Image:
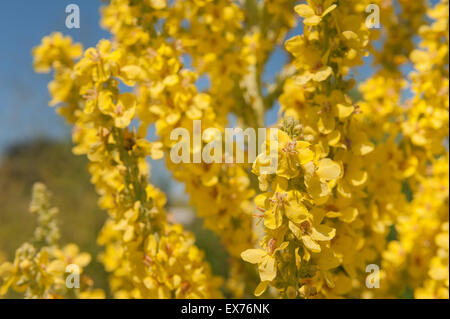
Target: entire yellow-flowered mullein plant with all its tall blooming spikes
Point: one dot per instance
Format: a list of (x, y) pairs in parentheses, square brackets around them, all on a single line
[(360, 180)]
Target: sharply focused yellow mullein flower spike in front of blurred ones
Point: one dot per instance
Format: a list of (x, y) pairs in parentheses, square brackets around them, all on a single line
[(313, 212)]
